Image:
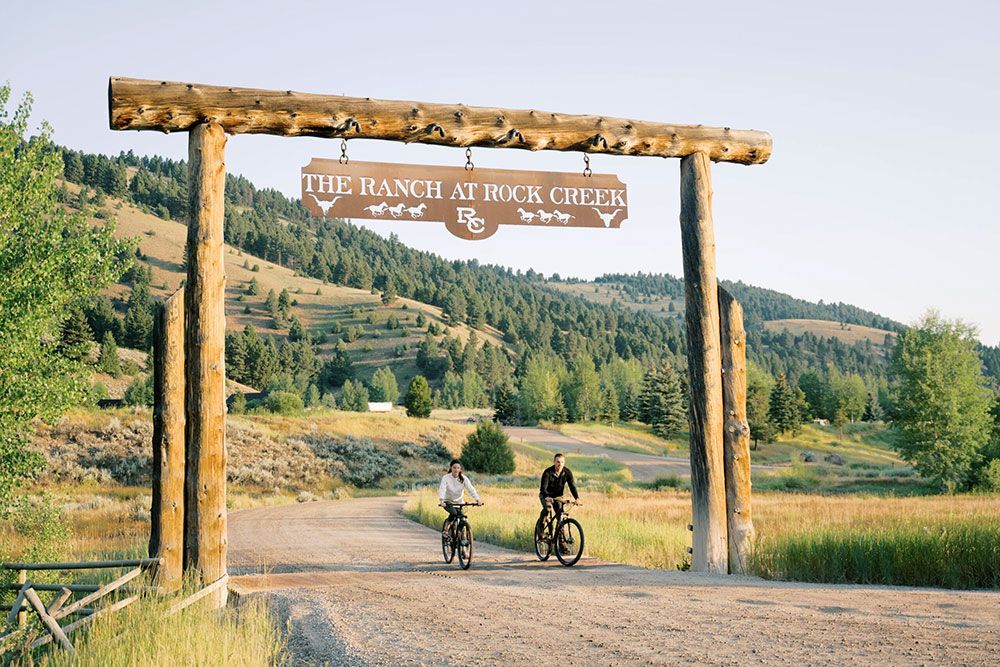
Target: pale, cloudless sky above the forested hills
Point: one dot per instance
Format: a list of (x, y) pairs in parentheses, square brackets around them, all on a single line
[(881, 191)]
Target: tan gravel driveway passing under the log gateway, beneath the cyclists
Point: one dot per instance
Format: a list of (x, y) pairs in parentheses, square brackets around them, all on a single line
[(362, 585)]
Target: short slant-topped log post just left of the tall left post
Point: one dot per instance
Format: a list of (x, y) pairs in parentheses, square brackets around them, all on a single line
[(166, 537)]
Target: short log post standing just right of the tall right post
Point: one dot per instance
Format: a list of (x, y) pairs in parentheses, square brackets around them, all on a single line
[(736, 450)]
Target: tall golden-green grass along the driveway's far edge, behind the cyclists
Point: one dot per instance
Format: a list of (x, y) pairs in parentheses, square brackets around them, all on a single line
[(951, 541)]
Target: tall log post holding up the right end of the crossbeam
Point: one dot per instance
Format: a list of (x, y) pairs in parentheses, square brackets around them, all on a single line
[(705, 414)]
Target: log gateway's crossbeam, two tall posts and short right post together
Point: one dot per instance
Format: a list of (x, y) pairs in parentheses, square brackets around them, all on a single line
[(208, 113)]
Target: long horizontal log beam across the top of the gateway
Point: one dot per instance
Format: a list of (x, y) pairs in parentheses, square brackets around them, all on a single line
[(139, 104)]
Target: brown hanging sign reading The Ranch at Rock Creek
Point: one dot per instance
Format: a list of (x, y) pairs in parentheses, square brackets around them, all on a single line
[(471, 202)]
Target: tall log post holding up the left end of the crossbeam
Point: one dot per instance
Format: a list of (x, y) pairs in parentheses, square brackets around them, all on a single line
[(205, 543)]
